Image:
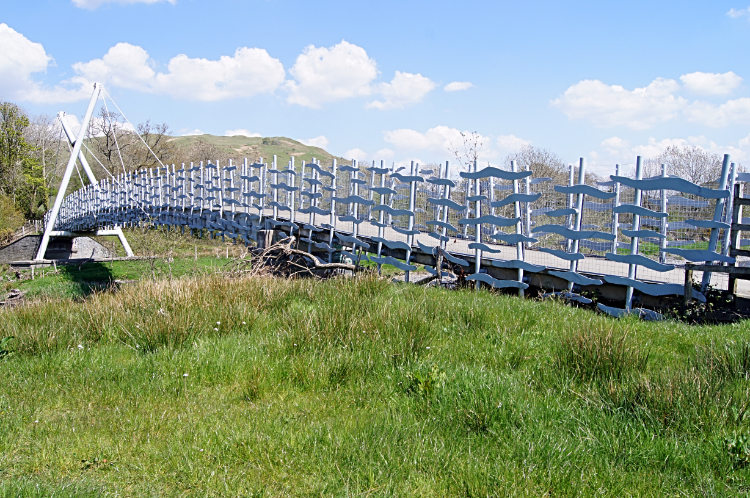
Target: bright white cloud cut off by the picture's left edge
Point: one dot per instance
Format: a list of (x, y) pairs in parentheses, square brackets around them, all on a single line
[(19, 59)]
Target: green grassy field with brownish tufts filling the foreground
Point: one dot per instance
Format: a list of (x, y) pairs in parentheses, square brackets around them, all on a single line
[(362, 387)]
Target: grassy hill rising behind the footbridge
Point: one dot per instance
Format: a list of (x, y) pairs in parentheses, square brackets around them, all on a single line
[(238, 147)]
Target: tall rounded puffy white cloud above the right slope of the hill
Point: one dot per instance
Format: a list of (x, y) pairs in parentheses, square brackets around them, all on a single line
[(324, 75)]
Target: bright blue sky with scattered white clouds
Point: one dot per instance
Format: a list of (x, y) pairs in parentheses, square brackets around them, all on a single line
[(399, 80)]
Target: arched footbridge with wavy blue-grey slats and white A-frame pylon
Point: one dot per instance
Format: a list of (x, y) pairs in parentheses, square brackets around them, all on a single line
[(627, 238)]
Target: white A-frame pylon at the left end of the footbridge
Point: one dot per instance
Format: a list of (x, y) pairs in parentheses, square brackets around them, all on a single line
[(76, 154)]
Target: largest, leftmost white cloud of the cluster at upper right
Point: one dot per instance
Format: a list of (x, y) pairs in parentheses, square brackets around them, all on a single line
[(612, 105)]
